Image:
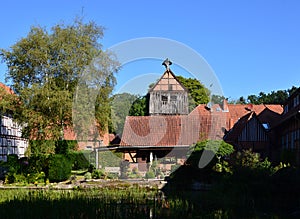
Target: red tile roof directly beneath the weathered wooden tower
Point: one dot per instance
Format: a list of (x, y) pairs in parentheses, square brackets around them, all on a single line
[(160, 131)]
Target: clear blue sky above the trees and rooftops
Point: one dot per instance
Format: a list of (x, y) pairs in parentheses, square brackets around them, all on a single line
[(251, 45)]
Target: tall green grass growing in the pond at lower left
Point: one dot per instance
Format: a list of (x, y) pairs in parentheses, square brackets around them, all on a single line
[(89, 203)]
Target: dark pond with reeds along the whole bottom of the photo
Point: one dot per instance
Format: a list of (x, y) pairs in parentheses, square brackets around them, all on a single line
[(134, 202)]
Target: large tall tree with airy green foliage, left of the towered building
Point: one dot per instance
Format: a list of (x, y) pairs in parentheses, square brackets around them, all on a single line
[(44, 69)]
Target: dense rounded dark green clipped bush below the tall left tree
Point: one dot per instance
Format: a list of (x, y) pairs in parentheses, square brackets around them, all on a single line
[(59, 168)]
